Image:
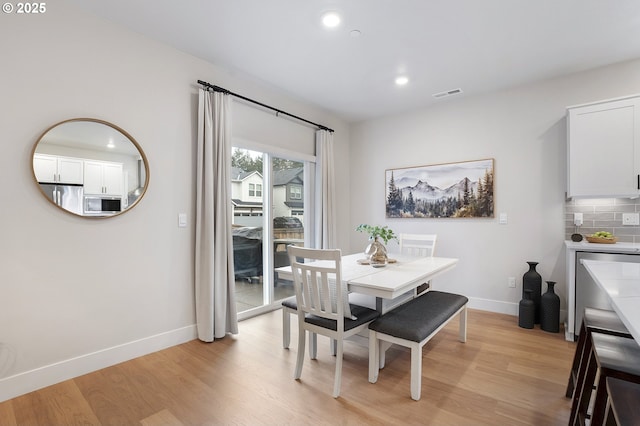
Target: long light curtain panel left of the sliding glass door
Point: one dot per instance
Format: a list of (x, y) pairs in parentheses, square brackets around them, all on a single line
[(214, 277)]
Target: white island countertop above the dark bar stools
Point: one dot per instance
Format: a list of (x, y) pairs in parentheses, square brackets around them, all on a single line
[(621, 282)]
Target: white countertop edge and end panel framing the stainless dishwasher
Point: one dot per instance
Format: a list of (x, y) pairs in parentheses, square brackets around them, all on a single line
[(584, 246)]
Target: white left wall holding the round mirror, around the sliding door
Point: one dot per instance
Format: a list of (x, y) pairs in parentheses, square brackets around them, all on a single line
[(79, 294)]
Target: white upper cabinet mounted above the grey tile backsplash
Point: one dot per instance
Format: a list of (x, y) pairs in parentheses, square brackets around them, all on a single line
[(604, 149)]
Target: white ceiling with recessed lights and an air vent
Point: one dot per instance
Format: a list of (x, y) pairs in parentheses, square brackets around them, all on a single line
[(475, 45)]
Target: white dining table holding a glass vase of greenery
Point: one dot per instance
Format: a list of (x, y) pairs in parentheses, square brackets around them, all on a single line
[(388, 282)]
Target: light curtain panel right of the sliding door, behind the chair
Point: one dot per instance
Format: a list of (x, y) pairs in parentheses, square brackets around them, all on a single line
[(325, 233)]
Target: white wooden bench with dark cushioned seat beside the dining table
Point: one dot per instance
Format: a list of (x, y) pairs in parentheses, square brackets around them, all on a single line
[(412, 325)]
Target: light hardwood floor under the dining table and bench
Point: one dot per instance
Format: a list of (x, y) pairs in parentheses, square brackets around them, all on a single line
[(502, 375)]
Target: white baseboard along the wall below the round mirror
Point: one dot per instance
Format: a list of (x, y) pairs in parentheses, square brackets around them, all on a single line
[(28, 381)]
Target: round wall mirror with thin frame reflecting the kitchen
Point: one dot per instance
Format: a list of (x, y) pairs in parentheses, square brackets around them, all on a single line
[(90, 168)]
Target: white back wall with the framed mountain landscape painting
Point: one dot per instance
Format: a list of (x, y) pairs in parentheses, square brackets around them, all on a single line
[(524, 130)]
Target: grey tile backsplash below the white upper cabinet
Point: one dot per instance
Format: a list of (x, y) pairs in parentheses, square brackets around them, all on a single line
[(603, 214)]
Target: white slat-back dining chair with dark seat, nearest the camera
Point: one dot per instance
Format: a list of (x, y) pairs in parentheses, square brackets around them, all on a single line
[(322, 303)]
